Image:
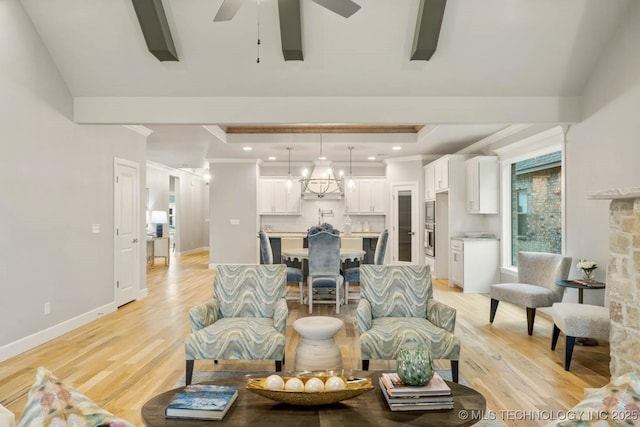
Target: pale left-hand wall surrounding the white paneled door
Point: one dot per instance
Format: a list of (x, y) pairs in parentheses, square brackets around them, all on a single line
[(56, 180)]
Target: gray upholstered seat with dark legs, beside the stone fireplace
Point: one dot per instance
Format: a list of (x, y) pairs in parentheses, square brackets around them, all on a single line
[(578, 320)]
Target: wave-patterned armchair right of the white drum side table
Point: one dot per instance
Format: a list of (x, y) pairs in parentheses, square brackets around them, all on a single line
[(397, 307)]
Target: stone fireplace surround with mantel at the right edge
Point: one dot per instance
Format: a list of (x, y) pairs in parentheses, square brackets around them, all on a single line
[(623, 278)]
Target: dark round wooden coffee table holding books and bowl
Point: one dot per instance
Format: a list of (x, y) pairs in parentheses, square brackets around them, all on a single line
[(367, 409)]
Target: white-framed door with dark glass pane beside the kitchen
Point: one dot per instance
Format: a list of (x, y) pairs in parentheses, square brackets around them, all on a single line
[(405, 224)]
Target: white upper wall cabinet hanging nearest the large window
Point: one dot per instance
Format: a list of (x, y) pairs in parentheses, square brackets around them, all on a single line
[(482, 184)]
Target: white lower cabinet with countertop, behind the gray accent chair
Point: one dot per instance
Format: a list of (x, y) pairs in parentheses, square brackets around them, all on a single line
[(474, 264)]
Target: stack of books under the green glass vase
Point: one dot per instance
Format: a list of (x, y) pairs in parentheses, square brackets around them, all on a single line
[(436, 395)]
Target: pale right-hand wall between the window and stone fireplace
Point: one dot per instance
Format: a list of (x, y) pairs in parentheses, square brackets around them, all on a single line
[(603, 150)]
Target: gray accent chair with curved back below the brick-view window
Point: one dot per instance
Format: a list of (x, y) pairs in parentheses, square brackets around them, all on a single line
[(536, 286)]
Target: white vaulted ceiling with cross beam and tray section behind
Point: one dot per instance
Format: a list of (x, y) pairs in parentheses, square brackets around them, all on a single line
[(498, 62)]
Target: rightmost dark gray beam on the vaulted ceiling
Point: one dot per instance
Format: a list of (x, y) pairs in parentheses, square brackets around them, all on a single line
[(425, 39)]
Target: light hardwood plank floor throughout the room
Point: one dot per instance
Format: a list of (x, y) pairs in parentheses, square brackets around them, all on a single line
[(128, 356)]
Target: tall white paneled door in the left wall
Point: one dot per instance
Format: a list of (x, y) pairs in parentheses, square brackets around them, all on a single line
[(127, 234)]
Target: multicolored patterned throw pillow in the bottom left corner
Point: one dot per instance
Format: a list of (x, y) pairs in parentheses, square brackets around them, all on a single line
[(52, 403)]
